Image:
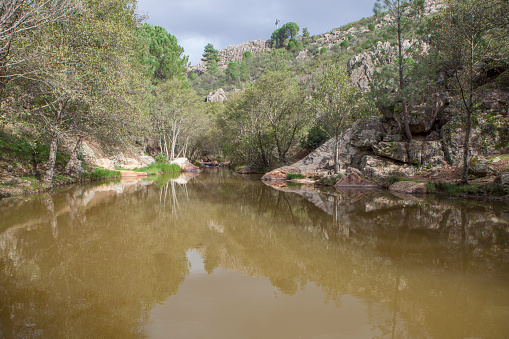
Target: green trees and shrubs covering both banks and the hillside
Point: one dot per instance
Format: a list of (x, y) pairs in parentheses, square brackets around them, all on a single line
[(80, 69)]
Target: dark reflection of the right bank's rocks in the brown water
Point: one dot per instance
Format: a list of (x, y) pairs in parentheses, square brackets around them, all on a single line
[(366, 214)]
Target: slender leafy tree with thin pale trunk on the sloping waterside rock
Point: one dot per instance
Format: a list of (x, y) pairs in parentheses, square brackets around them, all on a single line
[(339, 104)]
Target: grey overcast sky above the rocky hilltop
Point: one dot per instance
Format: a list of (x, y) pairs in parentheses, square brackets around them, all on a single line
[(196, 23)]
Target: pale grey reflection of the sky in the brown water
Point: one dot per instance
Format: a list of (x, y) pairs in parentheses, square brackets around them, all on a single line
[(227, 304)]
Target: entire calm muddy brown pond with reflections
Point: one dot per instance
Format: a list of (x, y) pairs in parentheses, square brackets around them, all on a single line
[(219, 255)]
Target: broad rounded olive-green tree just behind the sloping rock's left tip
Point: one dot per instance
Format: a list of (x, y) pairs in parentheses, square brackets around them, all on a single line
[(263, 122)]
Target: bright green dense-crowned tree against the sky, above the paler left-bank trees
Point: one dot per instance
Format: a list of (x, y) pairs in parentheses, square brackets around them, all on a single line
[(163, 56)]
